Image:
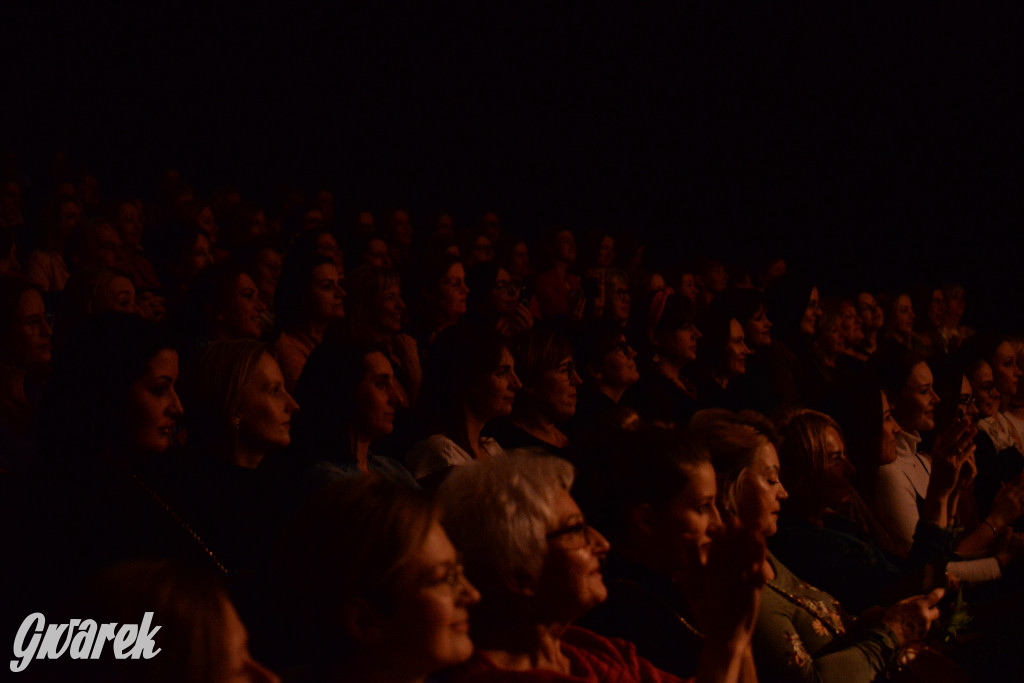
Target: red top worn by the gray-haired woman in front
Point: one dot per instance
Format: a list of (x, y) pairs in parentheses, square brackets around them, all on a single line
[(593, 659)]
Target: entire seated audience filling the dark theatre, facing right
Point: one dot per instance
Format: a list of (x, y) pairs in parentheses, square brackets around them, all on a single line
[(351, 450)]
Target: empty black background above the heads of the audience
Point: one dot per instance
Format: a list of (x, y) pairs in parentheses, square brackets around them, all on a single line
[(874, 147)]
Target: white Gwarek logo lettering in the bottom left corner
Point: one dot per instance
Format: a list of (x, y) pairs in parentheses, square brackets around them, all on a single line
[(131, 642)]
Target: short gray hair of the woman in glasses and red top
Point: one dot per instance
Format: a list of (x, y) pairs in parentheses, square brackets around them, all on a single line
[(498, 513)]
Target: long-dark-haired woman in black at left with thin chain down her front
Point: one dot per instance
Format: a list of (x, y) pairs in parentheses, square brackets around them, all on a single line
[(109, 415)]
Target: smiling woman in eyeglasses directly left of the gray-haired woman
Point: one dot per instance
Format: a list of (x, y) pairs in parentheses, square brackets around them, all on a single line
[(375, 586)]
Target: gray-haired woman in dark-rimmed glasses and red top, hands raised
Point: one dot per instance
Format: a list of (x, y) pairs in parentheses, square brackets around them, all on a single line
[(538, 566)]
